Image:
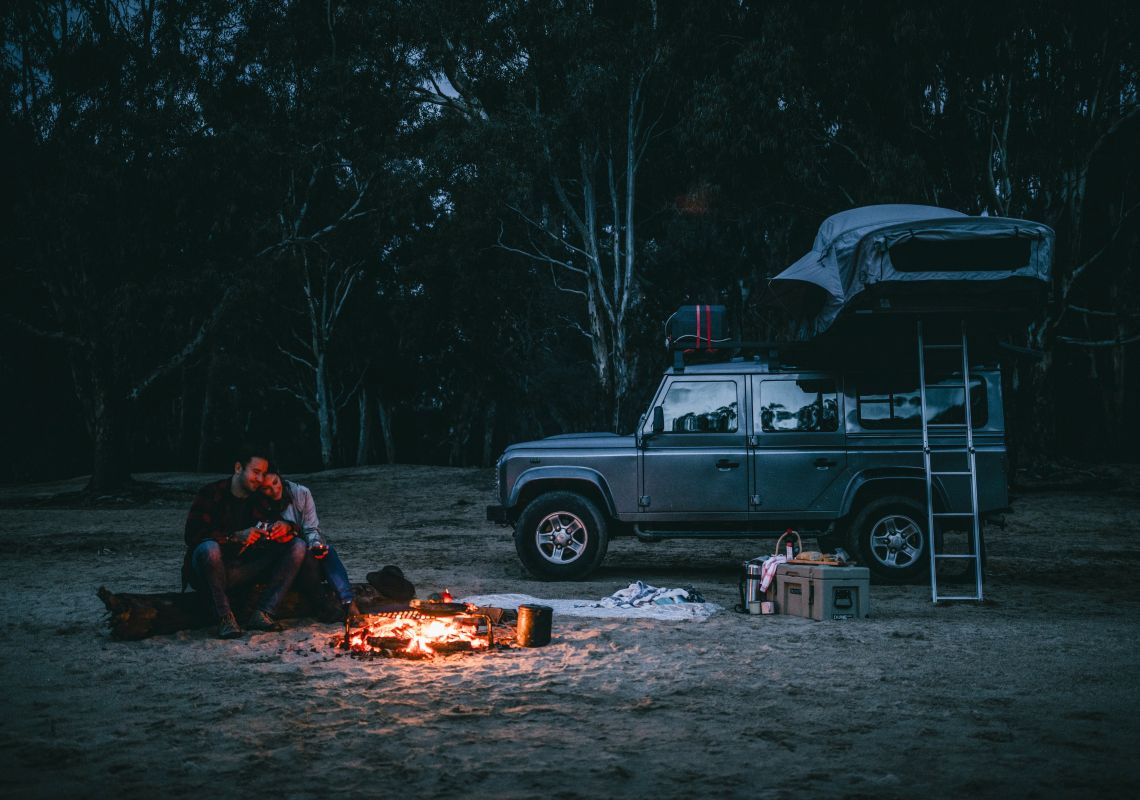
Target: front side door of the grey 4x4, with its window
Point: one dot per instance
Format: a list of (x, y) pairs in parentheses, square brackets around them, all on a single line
[(699, 463)]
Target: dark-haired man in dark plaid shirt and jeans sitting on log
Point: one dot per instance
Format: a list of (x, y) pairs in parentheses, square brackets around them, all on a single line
[(232, 541)]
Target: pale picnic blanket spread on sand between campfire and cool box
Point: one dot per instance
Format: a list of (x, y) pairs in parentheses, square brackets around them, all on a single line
[(637, 601)]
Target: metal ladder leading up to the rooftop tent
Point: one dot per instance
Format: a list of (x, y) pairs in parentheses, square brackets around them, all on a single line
[(971, 472)]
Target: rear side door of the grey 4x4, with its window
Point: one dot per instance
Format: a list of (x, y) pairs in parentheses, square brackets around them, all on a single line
[(799, 442)]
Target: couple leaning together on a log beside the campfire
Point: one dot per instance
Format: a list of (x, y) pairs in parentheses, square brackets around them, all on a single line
[(257, 527)]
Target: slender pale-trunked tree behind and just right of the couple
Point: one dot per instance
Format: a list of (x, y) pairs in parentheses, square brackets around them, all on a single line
[(330, 113)]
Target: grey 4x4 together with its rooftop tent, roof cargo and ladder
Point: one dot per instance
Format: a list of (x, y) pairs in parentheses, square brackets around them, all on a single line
[(853, 437)]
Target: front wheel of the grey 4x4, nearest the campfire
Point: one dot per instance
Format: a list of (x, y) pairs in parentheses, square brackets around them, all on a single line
[(561, 536)]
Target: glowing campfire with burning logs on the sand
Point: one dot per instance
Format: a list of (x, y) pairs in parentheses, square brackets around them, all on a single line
[(422, 633)]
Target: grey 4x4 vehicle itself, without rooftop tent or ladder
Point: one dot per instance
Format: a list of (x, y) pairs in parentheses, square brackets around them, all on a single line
[(750, 447)]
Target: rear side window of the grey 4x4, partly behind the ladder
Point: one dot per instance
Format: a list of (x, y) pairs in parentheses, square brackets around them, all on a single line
[(897, 405)]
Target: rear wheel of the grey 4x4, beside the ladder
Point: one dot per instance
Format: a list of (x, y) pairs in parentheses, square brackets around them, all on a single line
[(891, 538)]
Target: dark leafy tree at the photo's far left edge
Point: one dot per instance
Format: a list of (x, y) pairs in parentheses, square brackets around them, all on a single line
[(111, 259)]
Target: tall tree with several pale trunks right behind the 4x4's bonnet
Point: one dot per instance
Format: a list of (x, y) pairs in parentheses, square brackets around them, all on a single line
[(576, 94)]
